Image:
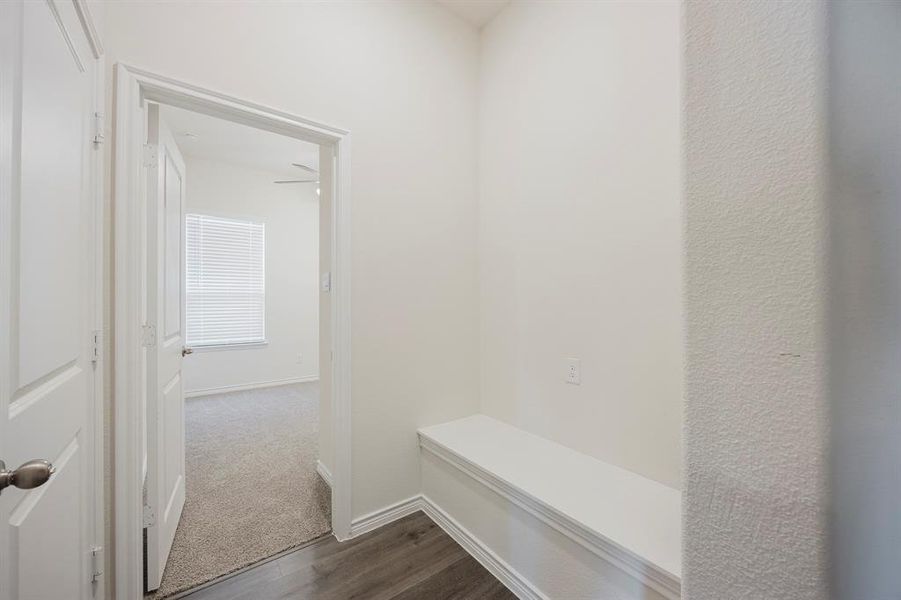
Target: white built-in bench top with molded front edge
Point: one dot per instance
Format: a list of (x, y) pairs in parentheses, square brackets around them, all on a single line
[(624, 518)]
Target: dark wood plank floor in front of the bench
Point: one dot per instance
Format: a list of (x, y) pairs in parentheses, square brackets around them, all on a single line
[(409, 559)]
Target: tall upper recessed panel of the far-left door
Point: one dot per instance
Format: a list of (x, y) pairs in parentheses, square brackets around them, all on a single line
[(55, 102)]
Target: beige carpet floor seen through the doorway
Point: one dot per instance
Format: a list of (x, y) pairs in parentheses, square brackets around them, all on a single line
[(252, 489)]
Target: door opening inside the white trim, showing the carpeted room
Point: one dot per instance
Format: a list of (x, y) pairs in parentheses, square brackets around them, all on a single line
[(236, 295)]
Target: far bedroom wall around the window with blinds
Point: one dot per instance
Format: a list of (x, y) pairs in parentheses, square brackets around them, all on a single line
[(291, 216)]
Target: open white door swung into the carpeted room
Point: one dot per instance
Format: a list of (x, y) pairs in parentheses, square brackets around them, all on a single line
[(166, 321)]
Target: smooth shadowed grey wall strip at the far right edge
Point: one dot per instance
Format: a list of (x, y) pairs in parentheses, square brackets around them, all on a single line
[(865, 297)]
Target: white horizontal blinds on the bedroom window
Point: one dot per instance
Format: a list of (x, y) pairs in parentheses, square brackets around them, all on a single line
[(226, 283)]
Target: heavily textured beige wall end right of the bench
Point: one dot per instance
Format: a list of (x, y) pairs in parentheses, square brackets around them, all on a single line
[(756, 414)]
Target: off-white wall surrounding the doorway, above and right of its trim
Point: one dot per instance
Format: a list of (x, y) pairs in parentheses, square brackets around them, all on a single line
[(402, 77)]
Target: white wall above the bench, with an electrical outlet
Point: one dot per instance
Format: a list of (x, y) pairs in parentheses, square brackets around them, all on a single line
[(580, 227)]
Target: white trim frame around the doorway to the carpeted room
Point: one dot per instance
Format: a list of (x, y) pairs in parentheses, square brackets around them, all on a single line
[(133, 87)]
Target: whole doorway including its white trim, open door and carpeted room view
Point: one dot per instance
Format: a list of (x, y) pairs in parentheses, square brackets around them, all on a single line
[(233, 463)]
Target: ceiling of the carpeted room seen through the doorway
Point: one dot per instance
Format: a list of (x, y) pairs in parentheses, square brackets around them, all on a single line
[(224, 141)]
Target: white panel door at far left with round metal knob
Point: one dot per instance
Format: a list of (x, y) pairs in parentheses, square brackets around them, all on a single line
[(48, 300)]
